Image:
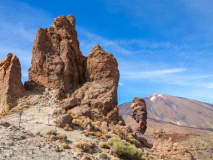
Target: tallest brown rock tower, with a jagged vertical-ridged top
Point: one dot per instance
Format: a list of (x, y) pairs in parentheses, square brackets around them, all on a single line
[(57, 61)]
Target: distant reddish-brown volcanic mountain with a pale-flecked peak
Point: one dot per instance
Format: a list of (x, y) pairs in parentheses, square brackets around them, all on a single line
[(175, 110)]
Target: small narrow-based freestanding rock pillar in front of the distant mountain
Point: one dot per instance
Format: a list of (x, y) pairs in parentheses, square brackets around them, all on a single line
[(139, 113)]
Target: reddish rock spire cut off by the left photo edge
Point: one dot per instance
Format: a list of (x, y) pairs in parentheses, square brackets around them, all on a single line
[(11, 86)]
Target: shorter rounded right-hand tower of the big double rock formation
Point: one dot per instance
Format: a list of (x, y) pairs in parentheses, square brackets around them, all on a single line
[(97, 98)]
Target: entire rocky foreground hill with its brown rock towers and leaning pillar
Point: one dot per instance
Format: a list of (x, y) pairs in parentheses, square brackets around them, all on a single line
[(79, 117)]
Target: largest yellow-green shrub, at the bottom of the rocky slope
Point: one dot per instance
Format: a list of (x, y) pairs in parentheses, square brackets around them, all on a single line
[(124, 149)]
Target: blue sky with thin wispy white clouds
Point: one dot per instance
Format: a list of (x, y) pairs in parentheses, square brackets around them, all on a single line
[(163, 47)]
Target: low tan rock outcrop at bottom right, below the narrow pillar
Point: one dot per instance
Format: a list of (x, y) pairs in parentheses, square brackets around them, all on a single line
[(164, 147)]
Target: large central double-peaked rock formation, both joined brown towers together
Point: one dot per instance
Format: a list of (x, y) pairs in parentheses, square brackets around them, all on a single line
[(89, 82)]
